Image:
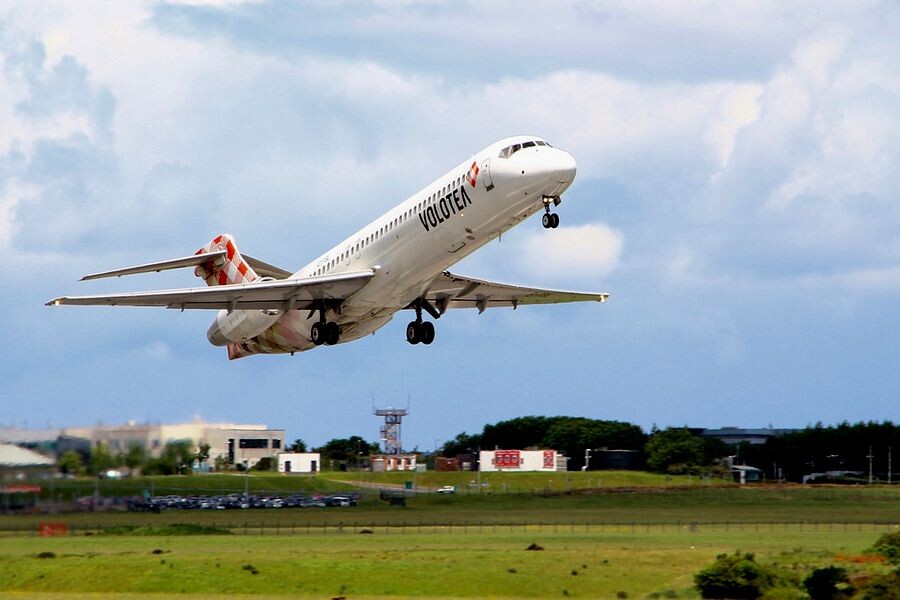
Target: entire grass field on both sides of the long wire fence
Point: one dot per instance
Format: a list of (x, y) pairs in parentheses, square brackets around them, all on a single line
[(640, 542)]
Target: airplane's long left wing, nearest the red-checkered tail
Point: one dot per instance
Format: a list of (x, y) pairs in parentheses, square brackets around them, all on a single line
[(304, 293)]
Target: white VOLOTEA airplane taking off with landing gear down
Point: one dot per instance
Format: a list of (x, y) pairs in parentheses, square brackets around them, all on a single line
[(397, 262)]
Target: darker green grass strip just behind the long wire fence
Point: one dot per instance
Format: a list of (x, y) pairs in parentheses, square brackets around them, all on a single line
[(791, 504)]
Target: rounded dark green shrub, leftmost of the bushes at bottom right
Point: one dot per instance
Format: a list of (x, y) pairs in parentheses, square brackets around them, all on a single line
[(734, 576)]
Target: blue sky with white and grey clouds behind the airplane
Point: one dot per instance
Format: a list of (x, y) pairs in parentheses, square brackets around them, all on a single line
[(737, 194)]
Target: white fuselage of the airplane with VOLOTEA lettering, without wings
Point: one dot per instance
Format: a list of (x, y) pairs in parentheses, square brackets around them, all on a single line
[(413, 243)]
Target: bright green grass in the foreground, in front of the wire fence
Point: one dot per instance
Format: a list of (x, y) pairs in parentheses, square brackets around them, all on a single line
[(596, 562)]
